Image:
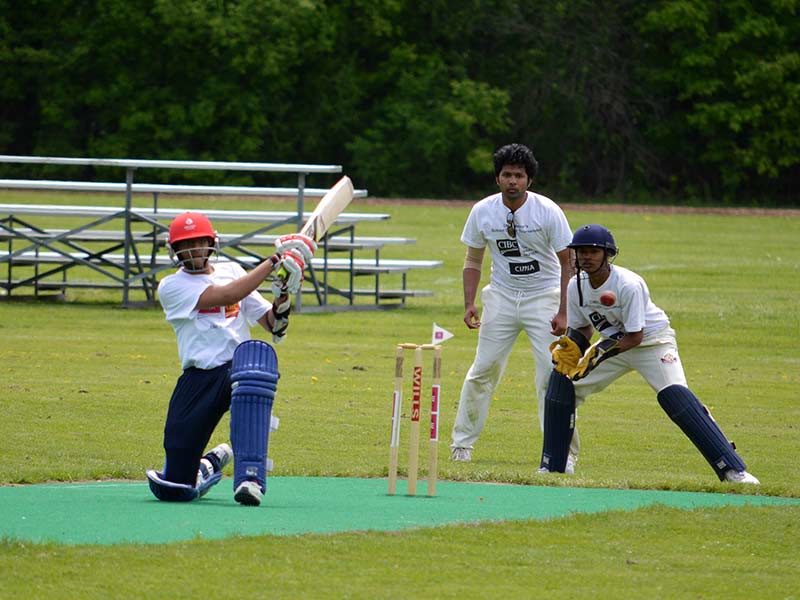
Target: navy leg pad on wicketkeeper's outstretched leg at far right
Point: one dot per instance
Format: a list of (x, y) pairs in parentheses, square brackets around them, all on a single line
[(693, 418)]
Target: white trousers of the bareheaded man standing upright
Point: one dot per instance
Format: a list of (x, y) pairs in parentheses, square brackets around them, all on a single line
[(505, 314)]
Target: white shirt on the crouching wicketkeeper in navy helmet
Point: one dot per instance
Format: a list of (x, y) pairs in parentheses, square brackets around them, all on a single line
[(632, 311)]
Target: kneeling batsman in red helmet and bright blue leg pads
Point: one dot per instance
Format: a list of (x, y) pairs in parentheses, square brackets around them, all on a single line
[(211, 307)]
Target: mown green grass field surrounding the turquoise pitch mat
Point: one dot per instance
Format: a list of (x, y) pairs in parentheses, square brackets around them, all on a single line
[(85, 386)]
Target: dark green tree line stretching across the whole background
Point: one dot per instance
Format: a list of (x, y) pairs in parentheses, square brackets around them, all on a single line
[(679, 99)]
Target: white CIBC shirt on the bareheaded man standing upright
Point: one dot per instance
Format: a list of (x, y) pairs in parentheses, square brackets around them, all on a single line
[(529, 262)]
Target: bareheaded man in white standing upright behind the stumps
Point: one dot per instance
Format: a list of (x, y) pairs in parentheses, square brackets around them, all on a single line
[(527, 235)]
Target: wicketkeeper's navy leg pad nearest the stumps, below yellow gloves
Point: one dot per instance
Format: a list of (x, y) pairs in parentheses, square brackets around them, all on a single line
[(559, 422)]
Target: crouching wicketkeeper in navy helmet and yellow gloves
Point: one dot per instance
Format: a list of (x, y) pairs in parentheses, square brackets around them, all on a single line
[(635, 336)]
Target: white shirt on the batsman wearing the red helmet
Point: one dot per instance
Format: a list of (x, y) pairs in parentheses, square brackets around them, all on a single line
[(207, 338)]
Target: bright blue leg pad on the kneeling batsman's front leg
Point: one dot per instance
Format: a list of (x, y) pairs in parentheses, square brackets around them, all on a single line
[(254, 377)]
